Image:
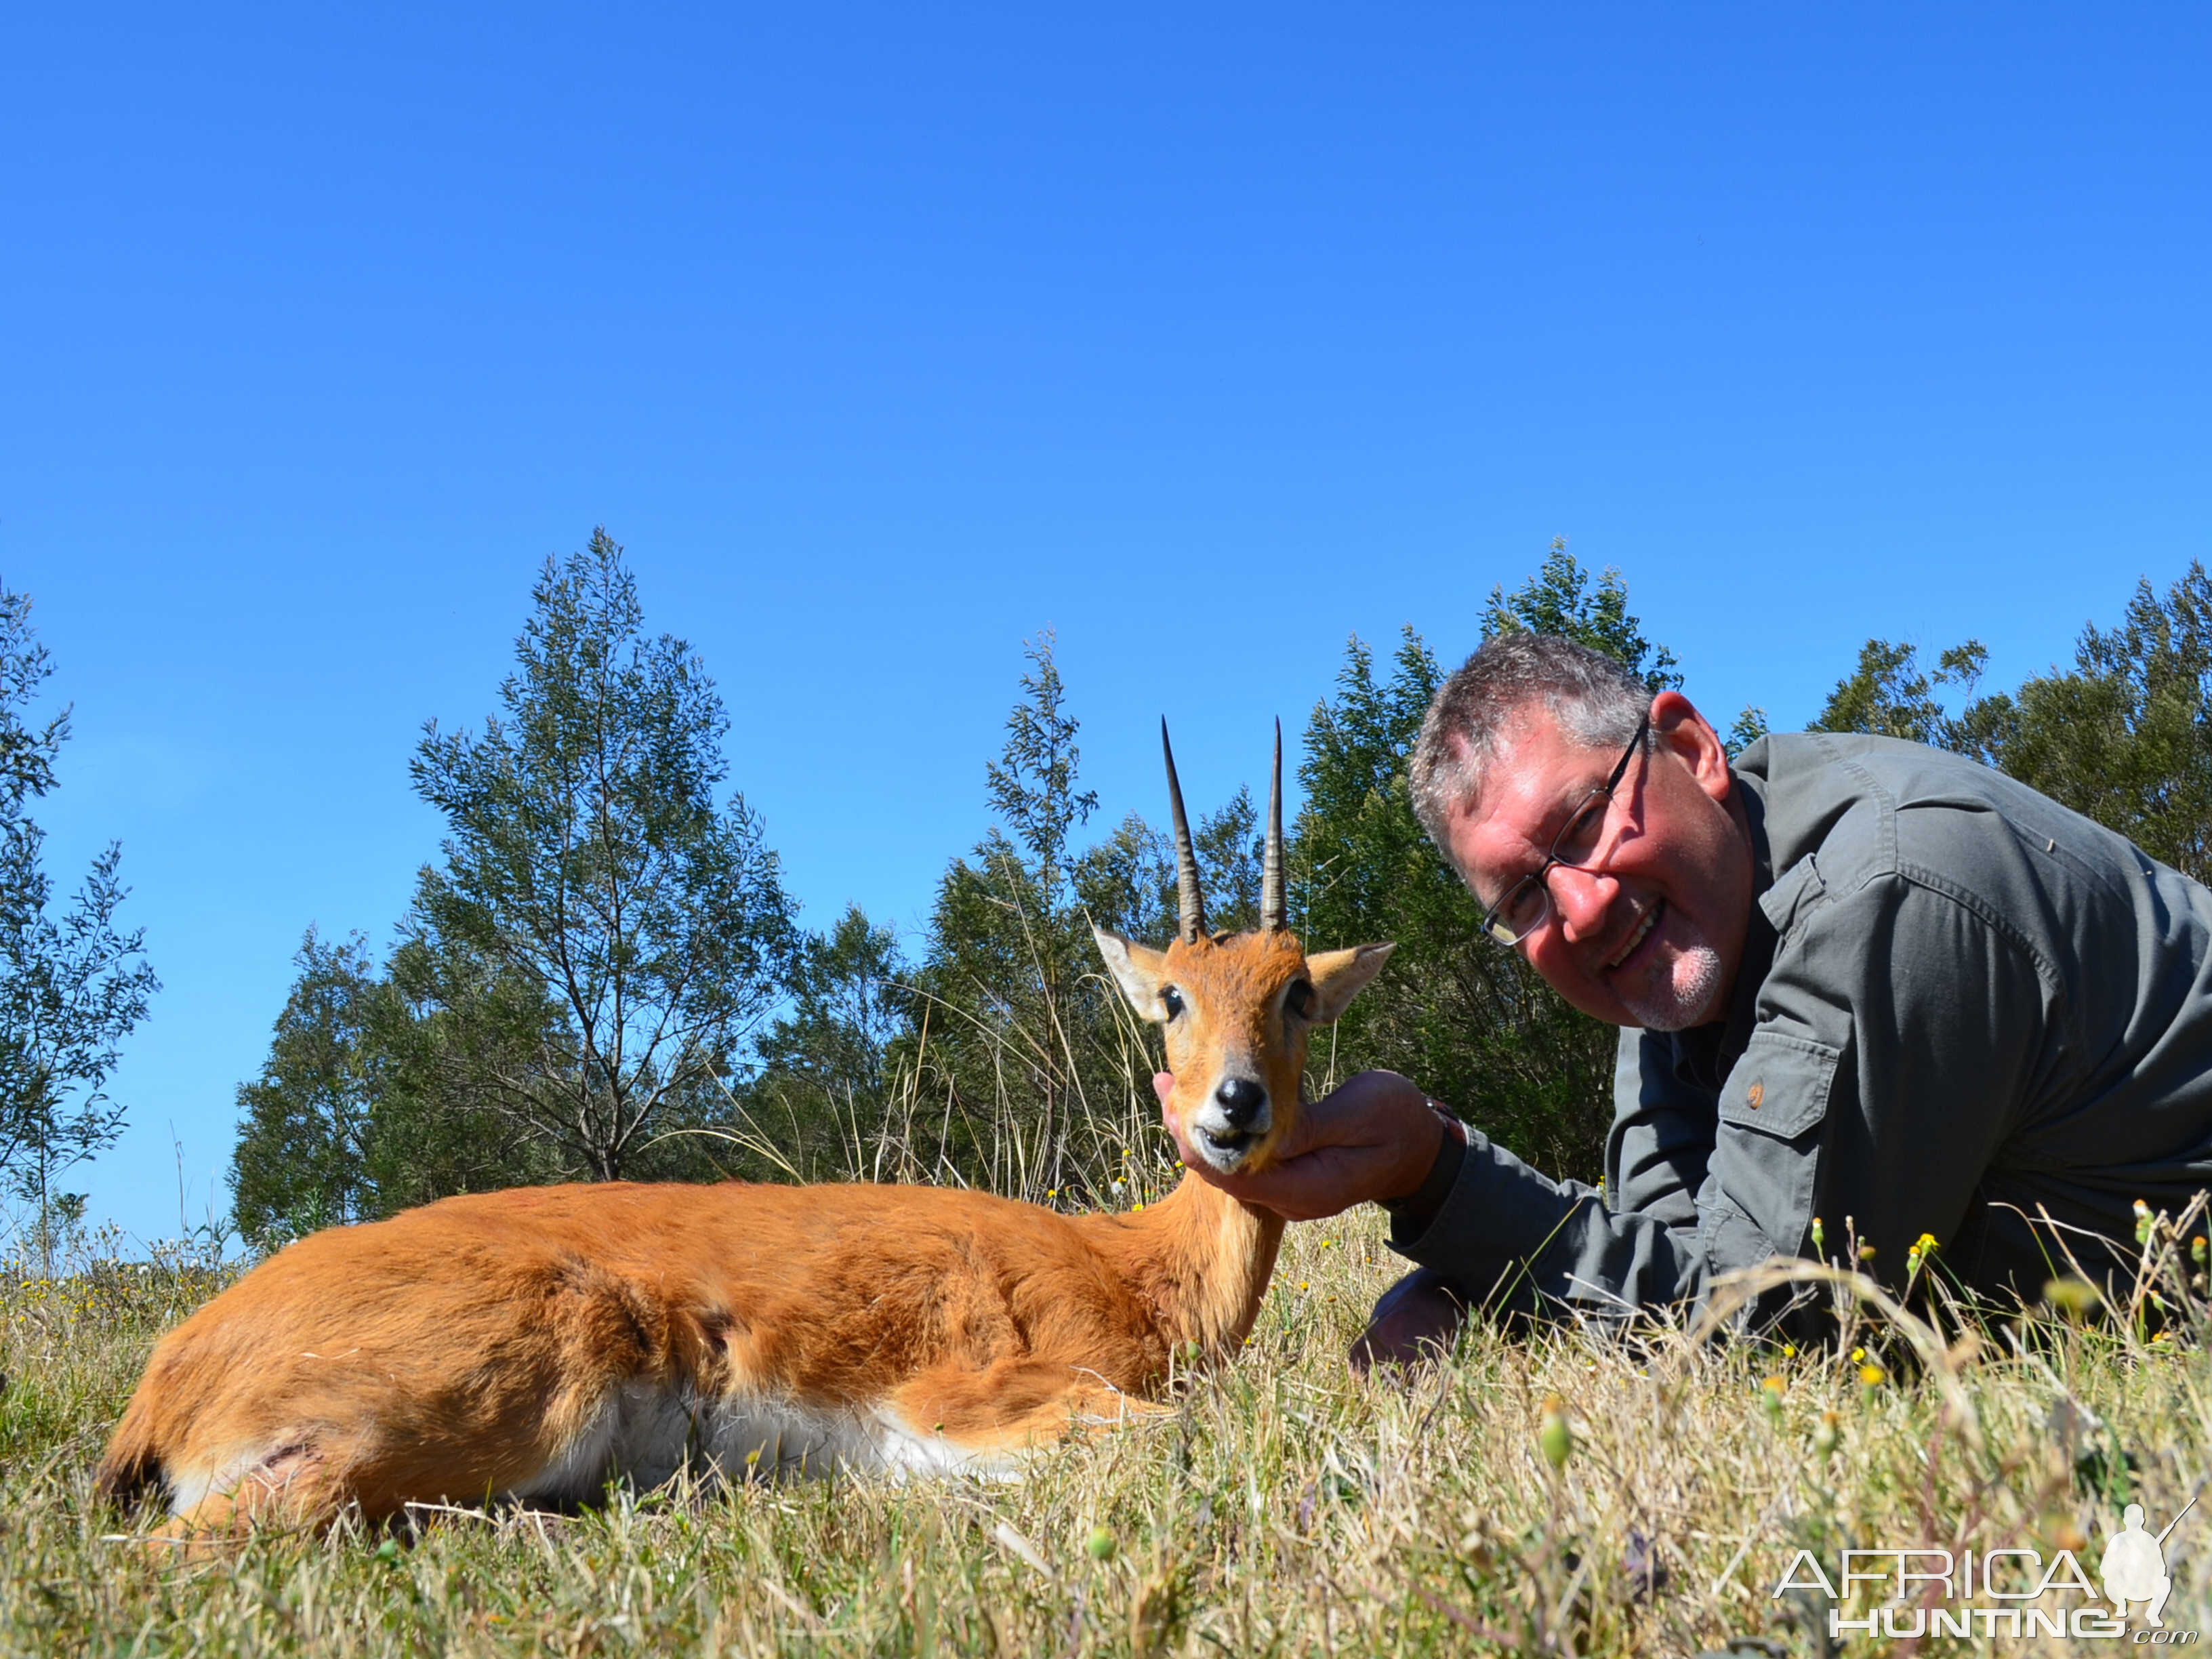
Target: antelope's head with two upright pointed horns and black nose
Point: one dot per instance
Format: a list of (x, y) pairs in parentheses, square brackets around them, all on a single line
[(1238, 1008)]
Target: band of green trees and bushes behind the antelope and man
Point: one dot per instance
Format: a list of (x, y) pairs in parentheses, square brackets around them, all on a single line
[(490, 1052)]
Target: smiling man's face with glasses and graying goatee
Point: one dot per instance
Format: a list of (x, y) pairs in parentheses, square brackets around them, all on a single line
[(1653, 935)]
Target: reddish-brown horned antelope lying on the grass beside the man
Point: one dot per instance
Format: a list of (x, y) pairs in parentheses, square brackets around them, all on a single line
[(545, 1342)]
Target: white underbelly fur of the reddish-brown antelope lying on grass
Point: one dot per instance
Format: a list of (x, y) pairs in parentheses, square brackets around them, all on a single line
[(647, 1434)]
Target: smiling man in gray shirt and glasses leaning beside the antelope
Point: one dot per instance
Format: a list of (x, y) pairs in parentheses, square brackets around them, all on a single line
[(1859, 981)]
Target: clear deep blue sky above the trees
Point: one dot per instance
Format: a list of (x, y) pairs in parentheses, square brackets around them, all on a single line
[(886, 337)]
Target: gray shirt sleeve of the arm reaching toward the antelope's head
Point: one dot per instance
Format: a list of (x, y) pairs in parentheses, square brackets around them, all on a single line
[(1879, 1081)]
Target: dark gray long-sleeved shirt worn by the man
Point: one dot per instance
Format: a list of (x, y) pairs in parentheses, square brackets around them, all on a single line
[(1963, 1012)]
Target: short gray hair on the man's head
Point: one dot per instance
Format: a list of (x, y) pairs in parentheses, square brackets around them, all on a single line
[(1598, 702)]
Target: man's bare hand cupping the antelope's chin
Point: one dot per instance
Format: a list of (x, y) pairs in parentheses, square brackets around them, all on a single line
[(1373, 1140)]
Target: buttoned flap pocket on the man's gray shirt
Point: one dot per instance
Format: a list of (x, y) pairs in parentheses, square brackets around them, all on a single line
[(1766, 1158)]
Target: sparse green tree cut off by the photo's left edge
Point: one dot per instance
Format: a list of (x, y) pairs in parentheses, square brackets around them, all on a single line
[(72, 983)]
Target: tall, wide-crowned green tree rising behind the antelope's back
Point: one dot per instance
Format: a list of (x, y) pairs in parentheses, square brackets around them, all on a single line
[(589, 866)]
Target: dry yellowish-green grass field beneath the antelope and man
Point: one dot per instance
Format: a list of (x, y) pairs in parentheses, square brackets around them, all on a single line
[(1286, 1510)]
